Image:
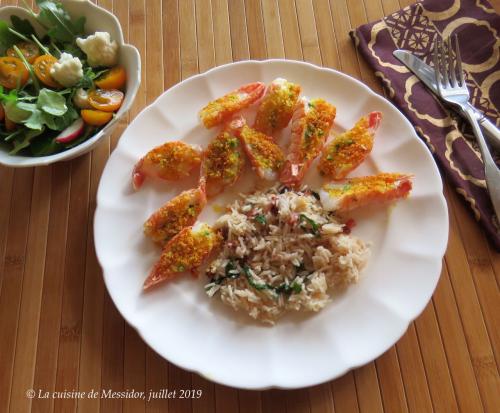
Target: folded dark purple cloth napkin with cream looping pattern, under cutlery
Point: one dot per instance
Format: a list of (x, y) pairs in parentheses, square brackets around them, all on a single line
[(449, 138)]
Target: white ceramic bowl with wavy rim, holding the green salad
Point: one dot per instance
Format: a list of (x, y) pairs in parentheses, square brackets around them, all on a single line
[(98, 19)]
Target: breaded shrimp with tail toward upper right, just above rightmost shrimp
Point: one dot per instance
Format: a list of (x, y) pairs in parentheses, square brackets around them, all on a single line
[(347, 150)]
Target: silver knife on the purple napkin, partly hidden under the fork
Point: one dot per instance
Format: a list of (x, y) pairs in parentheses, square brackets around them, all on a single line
[(426, 74)]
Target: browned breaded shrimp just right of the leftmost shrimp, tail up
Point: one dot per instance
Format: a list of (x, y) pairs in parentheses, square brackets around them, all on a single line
[(223, 160)]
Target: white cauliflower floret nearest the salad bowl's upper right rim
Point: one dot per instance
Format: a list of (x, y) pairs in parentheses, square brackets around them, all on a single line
[(99, 48)]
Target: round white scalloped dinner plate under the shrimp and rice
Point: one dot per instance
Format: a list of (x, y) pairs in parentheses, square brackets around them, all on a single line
[(181, 323)]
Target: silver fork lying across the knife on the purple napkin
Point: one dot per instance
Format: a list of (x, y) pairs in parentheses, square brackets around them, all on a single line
[(452, 89)]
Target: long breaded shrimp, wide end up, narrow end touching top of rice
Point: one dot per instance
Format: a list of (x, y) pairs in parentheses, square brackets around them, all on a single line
[(311, 124)]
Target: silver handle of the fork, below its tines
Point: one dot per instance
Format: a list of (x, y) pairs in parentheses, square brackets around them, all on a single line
[(492, 173)]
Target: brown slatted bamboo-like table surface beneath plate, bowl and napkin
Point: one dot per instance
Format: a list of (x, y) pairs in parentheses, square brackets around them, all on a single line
[(59, 329)]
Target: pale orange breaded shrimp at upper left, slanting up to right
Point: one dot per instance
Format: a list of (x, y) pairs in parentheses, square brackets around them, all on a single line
[(223, 108)]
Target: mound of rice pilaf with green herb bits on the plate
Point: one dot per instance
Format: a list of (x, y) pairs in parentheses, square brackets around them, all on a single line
[(282, 252)]
